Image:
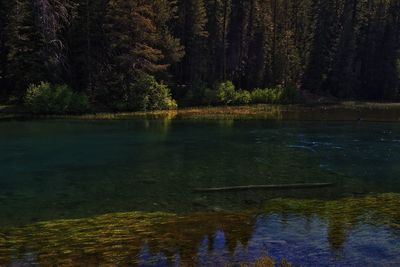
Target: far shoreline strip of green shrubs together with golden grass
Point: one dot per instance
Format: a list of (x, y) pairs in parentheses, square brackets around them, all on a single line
[(149, 98)]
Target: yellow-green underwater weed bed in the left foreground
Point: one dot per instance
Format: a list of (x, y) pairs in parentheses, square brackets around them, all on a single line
[(115, 238)]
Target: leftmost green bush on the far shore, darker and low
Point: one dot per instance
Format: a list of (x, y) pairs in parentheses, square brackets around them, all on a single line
[(59, 99)]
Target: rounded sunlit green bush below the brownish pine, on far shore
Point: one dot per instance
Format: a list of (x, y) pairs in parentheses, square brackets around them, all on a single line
[(147, 94)]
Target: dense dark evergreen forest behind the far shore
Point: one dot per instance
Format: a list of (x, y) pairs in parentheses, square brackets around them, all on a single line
[(348, 49)]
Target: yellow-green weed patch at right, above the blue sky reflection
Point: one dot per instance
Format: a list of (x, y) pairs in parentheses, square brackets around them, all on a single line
[(342, 216)]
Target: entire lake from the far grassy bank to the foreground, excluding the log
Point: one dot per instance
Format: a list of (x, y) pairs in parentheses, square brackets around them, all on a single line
[(122, 192)]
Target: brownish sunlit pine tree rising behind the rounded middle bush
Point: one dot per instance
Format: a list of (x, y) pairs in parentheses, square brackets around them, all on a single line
[(131, 45)]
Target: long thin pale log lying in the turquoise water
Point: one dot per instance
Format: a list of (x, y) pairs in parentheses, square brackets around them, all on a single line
[(264, 187)]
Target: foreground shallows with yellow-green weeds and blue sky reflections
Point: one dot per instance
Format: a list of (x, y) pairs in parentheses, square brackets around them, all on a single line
[(361, 231)]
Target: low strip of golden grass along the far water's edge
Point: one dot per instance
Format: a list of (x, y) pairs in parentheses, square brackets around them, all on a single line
[(345, 111)]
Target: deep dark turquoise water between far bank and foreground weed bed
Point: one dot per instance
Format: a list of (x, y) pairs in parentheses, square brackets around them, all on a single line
[(74, 169)]
